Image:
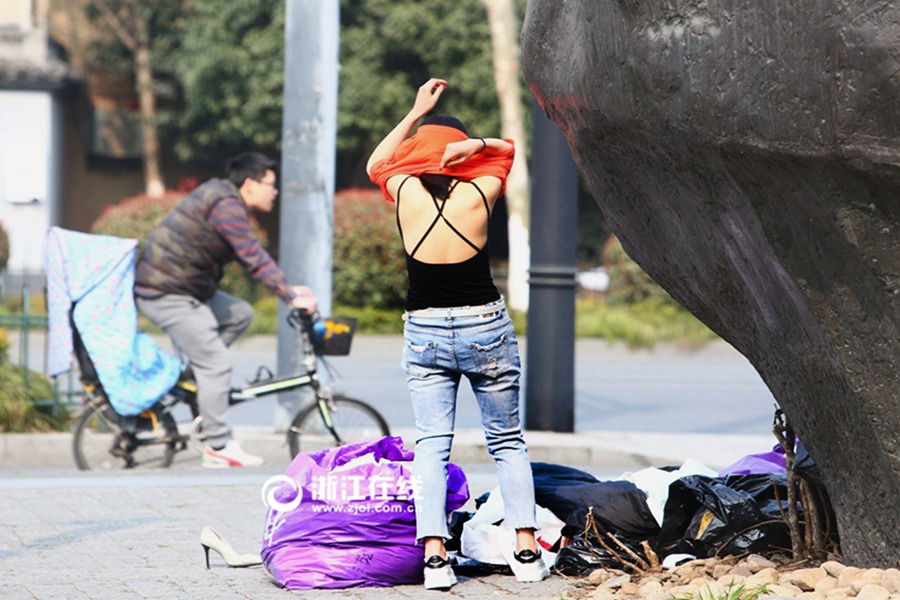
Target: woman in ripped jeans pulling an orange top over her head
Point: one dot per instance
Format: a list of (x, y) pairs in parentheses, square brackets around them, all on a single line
[(445, 184)]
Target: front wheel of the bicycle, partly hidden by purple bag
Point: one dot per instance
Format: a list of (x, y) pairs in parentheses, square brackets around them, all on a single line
[(351, 421)]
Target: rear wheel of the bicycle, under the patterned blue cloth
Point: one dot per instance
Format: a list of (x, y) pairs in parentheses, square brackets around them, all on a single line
[(101, 443)]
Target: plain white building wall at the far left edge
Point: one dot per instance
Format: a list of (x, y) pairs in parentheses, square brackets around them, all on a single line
[(28, 190)]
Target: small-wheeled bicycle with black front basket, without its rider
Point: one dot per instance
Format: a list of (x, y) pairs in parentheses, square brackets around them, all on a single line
[(105, 440)]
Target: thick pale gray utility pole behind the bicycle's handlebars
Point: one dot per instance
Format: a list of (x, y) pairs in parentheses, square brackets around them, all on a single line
[(312, 29)]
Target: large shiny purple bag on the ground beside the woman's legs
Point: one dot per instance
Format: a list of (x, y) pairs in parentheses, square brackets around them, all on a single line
[(345, 517)]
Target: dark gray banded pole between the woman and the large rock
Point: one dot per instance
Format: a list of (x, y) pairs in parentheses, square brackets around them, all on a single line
[(550, 360)]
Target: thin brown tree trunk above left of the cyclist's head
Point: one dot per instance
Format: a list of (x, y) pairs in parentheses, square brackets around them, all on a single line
[(153, 180)]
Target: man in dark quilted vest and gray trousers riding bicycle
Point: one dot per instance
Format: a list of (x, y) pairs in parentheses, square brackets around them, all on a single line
[(176, 286)]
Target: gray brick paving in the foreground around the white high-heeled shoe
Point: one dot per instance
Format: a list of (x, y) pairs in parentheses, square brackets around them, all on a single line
[(136, 535)]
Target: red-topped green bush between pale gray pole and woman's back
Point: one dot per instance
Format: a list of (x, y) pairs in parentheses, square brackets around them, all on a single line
[(369, 267)]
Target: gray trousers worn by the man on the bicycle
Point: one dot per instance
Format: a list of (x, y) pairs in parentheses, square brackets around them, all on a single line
[(201, 333)]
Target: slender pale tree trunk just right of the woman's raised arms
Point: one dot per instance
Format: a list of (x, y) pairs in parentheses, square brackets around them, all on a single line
[(504, 41)]
